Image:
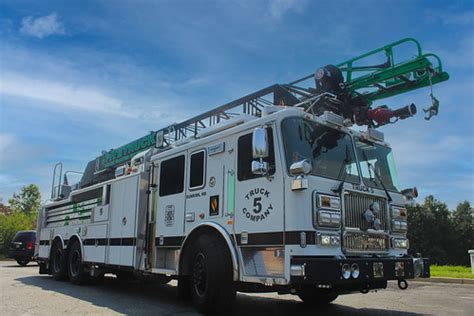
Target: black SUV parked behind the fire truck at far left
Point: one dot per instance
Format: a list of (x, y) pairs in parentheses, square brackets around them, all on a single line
[(22, 247)]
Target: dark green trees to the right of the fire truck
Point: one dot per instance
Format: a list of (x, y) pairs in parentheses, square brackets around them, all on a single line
[(443, 236)]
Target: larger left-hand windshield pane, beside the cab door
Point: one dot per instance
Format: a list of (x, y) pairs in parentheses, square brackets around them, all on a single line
[(330, 150)]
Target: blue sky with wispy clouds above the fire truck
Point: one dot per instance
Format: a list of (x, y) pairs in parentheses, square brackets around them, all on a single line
[(78, 77)]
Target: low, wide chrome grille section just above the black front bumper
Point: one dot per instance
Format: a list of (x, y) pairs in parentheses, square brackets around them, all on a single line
[(365, 242)]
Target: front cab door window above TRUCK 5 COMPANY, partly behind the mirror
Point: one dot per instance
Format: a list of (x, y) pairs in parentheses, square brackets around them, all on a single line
[(244, 169)]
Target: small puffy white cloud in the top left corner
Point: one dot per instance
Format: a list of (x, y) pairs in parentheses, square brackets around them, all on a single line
[(42, 26)]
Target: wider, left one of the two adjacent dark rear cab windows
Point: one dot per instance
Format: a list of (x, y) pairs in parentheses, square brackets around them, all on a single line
[(172, 176)]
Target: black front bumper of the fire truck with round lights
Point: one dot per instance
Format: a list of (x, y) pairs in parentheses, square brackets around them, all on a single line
[(374, 272)]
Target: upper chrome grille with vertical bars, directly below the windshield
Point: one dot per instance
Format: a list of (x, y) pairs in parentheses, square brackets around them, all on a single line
[(356, 203)]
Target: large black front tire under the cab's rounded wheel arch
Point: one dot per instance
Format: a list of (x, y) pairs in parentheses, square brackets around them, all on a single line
[(212, 287)]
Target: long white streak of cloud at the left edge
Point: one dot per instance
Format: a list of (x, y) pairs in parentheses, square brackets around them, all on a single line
[(54, 93)]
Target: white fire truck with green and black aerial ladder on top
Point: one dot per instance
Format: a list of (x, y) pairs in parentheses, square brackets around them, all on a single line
[(275, 191)]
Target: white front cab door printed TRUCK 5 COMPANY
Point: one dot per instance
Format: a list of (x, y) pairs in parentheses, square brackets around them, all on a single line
[(259, 201)]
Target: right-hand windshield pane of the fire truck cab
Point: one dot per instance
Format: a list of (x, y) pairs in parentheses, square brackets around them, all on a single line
[(375, 157)]
